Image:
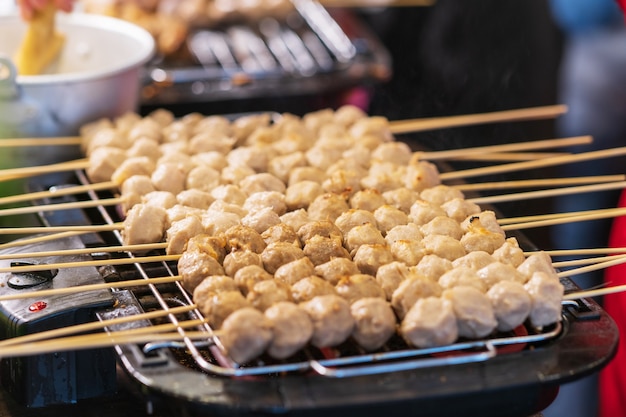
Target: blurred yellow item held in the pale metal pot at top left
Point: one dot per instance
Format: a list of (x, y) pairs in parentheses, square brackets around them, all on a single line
[(41, 45)]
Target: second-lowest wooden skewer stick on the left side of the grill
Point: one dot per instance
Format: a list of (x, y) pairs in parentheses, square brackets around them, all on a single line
[(91, 326)]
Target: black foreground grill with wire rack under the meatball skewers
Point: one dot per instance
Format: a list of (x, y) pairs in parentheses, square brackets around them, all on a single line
[(518, 372)]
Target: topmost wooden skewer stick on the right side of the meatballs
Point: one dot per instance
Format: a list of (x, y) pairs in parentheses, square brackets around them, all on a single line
[(532, 113)]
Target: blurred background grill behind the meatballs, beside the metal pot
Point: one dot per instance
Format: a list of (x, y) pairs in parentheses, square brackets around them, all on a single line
[(311, 51)]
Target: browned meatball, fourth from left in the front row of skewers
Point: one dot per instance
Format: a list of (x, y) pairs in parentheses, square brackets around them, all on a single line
[(374, 322)]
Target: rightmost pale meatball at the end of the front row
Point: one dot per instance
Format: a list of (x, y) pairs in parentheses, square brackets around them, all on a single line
[(546, 293)]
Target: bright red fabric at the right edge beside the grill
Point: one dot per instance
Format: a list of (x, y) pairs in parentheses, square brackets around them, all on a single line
[(612, 383)]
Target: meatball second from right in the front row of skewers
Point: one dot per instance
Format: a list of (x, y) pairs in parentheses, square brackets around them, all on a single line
[(511, 304)]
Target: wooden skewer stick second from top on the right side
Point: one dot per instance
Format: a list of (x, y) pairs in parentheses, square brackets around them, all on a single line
[(507, 147)]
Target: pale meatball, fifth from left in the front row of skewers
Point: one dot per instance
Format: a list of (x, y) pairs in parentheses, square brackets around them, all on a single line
[(430, 323)]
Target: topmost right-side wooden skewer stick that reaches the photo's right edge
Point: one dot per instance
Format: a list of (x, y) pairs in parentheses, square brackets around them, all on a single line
[(518, 166)]
